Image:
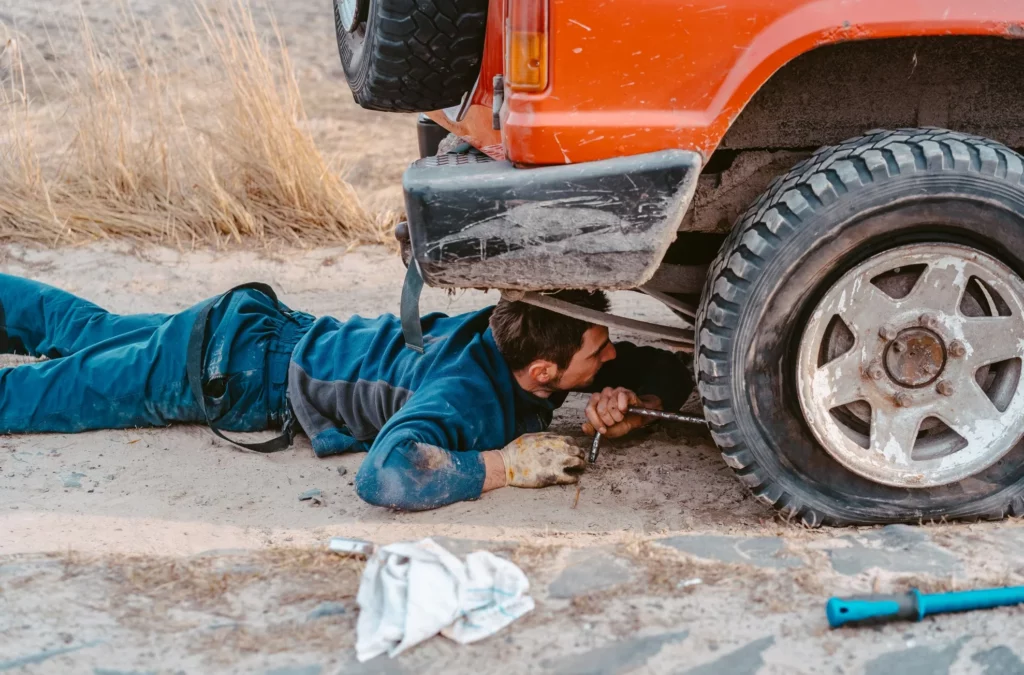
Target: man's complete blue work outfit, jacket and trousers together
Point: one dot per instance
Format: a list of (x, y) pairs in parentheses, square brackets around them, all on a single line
[(353, 386)]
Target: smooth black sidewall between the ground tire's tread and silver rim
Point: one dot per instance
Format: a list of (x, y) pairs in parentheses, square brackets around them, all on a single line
[(976, 210)]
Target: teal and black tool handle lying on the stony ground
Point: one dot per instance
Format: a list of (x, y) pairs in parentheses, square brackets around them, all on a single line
[(916, 606)]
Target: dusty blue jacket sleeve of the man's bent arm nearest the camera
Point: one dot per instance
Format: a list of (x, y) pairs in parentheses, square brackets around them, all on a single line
[(429, 455)]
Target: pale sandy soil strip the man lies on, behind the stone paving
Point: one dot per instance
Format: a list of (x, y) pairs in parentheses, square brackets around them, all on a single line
[(165, 491)]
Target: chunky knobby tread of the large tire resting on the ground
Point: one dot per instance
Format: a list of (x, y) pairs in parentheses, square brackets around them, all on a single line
[(729, 285)]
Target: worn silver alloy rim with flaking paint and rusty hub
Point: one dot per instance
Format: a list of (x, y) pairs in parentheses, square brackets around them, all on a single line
[(927, 394)]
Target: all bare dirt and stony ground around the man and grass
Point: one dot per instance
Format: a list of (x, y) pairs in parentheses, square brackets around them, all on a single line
[(168, 552)]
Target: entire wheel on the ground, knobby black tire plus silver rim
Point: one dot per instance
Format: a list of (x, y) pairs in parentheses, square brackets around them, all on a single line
[(895, 194)]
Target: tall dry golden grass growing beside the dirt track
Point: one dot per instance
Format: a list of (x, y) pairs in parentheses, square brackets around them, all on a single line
[(194, 142)]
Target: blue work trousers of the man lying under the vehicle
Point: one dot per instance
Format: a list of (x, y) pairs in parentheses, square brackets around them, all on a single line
[(113, 372)]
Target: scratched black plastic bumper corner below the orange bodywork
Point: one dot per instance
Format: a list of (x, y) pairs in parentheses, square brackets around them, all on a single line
[(476, 223)]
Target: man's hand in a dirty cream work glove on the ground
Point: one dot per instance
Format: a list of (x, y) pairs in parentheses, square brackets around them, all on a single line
[(539, 460)]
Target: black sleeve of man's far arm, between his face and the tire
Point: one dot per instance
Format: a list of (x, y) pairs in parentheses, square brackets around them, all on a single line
[(648, 371)]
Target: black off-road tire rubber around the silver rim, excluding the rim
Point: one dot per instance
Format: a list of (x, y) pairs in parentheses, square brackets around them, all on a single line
[(831, 213)]
